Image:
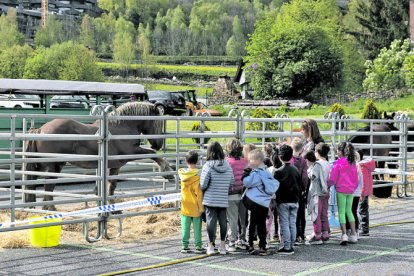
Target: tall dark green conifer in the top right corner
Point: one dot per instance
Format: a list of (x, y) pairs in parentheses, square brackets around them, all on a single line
[(376, 23)]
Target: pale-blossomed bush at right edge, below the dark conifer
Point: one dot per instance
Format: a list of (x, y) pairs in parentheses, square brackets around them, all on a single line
[(386, 71)]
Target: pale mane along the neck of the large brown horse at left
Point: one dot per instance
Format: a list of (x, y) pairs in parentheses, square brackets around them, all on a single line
[(134, 109)]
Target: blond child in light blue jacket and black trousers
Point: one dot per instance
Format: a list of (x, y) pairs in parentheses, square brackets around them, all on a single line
[(260, 186)]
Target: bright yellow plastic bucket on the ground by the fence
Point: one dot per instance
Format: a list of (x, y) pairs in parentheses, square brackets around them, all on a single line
[(45, 236)]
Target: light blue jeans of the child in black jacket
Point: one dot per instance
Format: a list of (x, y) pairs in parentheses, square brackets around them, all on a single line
[(287, 222)]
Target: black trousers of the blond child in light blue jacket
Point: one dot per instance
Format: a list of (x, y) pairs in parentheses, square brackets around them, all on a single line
[(257, 221)]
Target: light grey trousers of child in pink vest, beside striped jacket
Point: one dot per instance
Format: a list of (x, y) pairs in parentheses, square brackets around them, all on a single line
[(236, 213)]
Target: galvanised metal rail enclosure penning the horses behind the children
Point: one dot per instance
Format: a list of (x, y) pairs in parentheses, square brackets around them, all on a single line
[(141, 178)]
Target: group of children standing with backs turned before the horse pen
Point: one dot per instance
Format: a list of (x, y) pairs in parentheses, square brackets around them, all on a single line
[(245, 190)]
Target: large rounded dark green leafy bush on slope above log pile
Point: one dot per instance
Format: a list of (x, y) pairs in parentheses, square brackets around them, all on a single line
[(299, 61)]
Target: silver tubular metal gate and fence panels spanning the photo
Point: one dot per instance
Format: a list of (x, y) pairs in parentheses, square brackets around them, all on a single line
[(177, 135)]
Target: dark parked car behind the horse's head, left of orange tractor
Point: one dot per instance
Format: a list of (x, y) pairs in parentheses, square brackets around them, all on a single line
[(168, 102)]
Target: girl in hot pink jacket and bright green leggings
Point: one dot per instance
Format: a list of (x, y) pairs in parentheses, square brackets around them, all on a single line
[(344, 177)]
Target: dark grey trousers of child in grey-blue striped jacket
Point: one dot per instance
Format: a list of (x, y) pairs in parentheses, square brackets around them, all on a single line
[(214, 214)]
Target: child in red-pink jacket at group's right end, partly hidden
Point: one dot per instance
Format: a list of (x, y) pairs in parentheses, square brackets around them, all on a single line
[(367, 167)]
